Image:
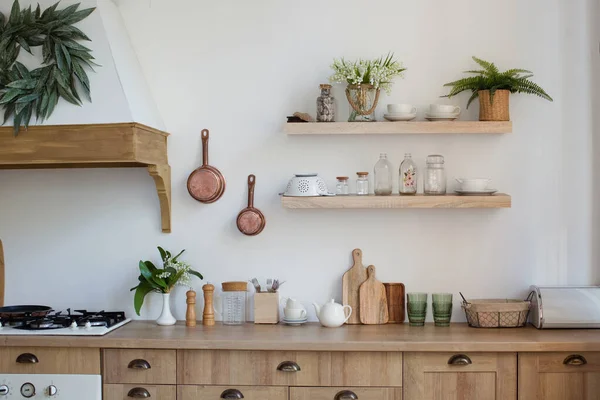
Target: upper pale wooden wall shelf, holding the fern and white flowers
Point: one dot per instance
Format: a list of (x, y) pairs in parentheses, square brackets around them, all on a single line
[(395, 128)]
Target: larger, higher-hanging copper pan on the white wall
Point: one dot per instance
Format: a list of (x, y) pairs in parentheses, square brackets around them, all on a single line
[(206, 184)]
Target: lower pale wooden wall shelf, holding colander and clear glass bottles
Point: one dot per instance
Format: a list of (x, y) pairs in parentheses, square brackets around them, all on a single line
[(499, 200)]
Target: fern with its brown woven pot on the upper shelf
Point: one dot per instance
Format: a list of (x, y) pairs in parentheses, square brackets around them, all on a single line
[(493, 88)]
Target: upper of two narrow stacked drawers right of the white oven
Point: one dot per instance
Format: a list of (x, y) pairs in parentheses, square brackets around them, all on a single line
[(140, 366)]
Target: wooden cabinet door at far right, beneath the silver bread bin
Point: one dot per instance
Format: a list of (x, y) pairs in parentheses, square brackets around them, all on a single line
[(559, 376)]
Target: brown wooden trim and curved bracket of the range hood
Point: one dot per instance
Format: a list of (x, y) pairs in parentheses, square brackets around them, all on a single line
[(93, 146)]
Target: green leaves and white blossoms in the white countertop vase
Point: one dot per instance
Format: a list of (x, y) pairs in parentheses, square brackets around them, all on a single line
[(152, 279)]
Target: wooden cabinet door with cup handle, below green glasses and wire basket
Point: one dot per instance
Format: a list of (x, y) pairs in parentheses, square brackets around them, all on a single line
[(454, 376)]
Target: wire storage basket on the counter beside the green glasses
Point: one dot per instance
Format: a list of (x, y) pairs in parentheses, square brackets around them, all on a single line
[(496, 313)]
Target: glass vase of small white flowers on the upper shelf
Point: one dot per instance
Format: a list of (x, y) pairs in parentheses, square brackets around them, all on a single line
[(365, 79)]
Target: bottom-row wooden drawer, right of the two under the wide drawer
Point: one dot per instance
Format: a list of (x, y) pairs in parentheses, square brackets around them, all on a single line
[(344, 393)]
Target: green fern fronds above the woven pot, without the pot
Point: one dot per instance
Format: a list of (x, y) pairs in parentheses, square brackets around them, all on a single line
[(490, 78)]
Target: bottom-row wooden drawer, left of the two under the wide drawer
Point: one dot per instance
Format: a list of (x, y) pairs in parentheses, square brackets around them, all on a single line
[(222, 392)]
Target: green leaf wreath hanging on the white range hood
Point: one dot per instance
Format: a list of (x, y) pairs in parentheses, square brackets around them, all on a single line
[(24, 93)]
